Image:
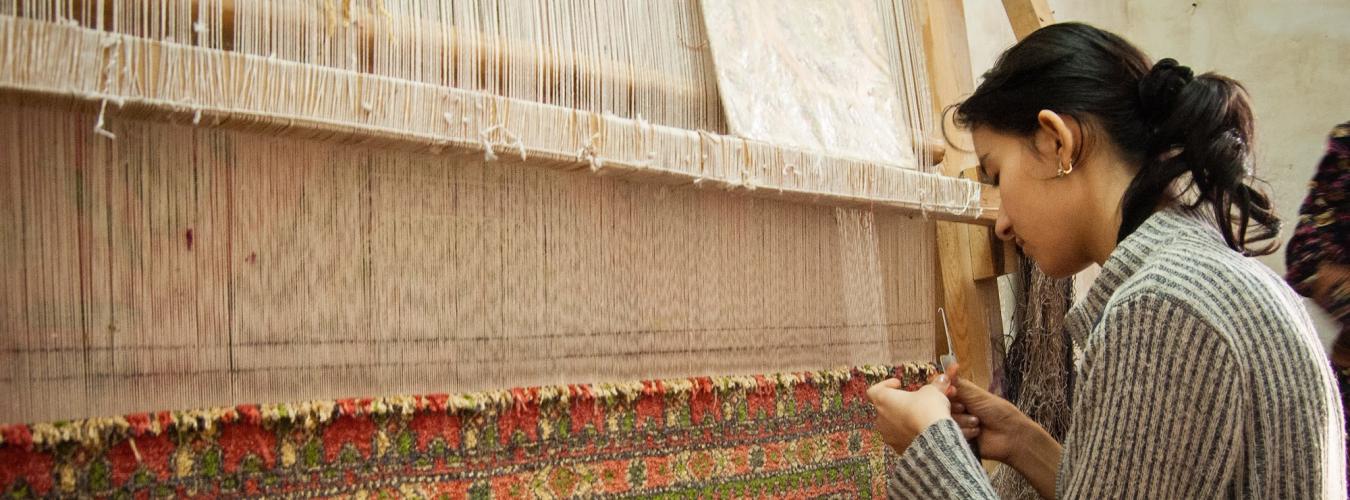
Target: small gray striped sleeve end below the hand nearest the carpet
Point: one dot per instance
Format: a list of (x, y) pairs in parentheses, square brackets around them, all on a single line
[(939, 466)]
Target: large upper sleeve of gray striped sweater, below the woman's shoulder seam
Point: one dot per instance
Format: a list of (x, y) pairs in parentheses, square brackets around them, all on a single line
[(1158, 410)]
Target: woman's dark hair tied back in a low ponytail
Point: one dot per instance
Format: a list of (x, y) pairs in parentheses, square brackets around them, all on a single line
[(1163, 118)]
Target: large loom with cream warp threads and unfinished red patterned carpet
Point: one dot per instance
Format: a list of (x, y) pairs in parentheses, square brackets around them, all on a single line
[(446, 226)]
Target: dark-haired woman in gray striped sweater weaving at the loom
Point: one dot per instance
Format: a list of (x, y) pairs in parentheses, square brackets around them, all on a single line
[(1202, 375)]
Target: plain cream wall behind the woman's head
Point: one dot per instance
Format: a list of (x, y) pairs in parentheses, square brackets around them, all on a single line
[(1294, 57)]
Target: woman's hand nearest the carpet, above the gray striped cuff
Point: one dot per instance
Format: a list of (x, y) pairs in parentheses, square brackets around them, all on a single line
[(901, 416)]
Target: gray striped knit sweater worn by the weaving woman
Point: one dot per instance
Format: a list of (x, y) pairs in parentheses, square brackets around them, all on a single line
[(1202, 378)]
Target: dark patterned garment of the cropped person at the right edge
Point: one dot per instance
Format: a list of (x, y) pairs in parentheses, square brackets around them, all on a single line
[(1324, 232)]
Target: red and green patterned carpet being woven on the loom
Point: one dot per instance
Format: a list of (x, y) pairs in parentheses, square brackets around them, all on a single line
[(774, 436)]
